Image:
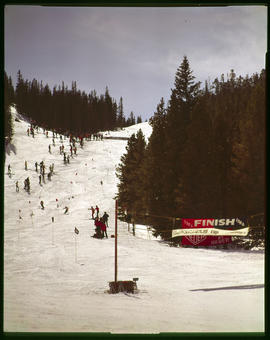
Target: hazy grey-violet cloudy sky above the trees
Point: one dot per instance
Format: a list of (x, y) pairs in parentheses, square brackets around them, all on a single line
[(135, 51)]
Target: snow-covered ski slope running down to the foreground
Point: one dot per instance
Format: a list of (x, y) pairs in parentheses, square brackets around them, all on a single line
[(57, 281)]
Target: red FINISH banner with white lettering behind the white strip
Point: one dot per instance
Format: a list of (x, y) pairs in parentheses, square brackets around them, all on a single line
[(202, 240)]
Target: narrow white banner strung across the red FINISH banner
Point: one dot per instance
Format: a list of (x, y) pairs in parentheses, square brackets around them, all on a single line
[(209, 232)]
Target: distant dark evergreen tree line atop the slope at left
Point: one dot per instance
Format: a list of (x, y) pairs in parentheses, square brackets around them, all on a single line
[(66, 110)]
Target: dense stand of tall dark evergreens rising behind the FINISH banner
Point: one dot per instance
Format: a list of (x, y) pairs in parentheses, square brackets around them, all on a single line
[(205, 157)]
